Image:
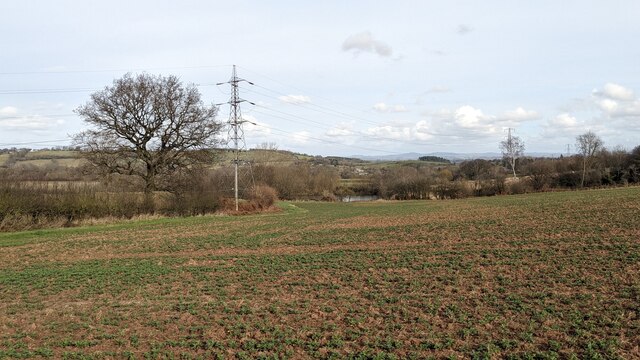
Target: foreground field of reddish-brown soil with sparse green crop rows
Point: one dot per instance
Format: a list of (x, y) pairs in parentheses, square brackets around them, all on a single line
[(540, 276)]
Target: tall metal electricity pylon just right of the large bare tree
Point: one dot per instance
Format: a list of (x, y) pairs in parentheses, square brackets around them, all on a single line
[(236, 133)]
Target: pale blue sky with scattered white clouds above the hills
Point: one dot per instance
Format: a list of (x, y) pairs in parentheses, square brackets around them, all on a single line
[(339, 77)]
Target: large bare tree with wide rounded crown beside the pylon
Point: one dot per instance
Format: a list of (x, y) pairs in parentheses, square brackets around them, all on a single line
[(148, 126)]
